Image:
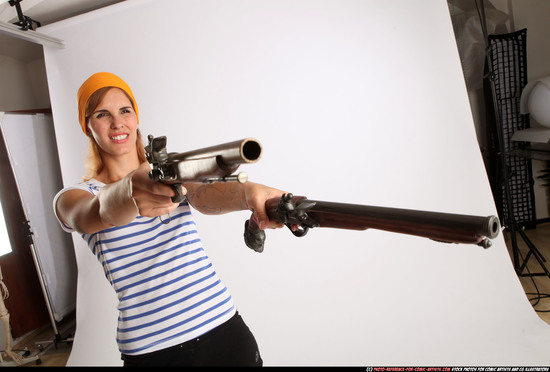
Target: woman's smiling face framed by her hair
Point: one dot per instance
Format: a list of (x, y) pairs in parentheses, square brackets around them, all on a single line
[(113, 124)]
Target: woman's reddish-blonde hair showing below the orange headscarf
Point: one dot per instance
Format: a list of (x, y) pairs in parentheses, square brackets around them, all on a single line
[(94, 162)]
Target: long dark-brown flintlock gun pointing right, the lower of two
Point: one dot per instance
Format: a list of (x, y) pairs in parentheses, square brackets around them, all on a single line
[(304, 214)]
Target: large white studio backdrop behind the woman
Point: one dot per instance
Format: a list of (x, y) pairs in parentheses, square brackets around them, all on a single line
[(356, 101)]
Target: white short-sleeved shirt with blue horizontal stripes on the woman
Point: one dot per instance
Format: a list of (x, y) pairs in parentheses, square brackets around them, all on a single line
[(167, 289)]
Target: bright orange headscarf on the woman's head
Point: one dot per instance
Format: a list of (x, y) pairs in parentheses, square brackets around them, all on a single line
[(94, 83)]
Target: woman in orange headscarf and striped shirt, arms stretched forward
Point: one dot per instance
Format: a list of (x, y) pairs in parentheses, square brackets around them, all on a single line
[(173, 307)]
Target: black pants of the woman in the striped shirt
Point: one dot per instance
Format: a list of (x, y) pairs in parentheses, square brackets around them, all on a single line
[(230, 344)]
